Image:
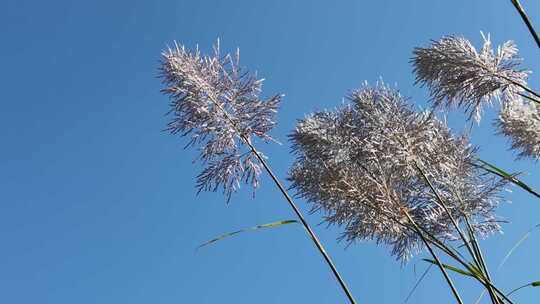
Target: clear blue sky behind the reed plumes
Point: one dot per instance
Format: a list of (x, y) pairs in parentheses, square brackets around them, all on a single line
[(97, 204)]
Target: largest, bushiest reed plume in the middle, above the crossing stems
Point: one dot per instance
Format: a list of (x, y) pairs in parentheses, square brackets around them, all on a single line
[(358, 165)]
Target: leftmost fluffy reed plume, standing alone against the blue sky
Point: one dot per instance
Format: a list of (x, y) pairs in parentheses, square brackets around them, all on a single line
[(217, 104)]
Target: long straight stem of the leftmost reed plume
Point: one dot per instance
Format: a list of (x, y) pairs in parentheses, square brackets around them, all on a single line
[(283, 191)]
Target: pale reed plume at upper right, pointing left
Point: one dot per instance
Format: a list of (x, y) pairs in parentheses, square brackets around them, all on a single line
[(459, 76)]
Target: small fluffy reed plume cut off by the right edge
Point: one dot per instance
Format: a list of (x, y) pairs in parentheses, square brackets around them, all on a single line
[(519, 120)]
